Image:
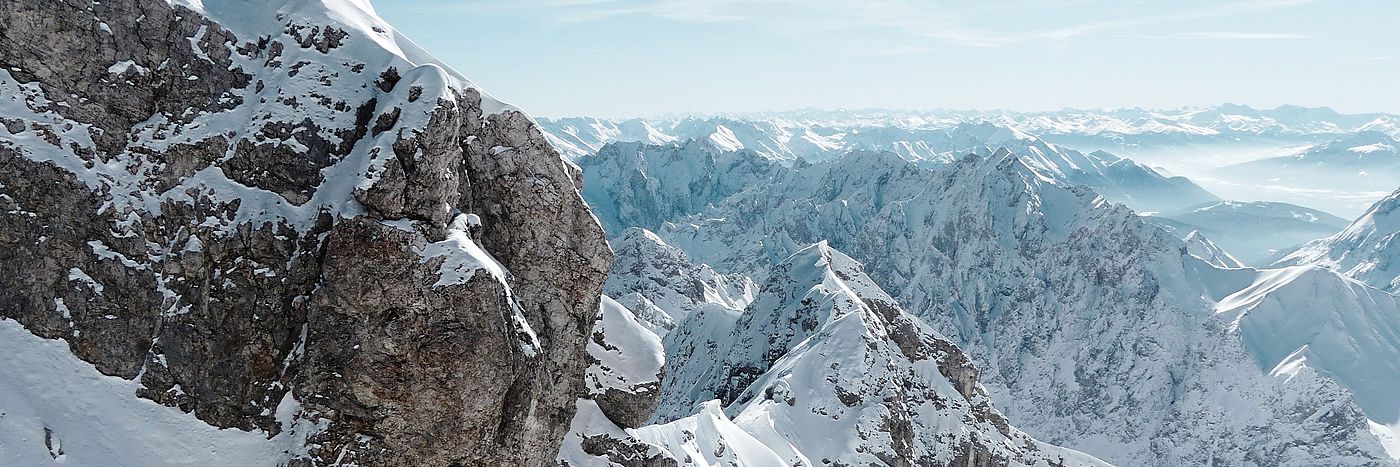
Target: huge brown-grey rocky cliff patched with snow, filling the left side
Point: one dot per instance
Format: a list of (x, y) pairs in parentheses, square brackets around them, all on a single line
[(286, 212)]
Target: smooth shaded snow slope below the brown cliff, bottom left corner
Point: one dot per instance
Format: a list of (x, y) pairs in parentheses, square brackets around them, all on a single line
[(97, 420)]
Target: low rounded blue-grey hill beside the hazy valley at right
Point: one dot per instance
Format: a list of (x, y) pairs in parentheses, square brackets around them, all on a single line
[(1255, 233)]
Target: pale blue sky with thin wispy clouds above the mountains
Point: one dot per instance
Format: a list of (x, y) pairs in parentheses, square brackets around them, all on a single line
[(649, 58)]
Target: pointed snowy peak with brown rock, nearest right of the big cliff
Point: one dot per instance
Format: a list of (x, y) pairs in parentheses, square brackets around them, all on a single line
[(822, 368)]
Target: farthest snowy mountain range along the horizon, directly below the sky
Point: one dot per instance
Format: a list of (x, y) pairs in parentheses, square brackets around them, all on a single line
[(827, 131)]
